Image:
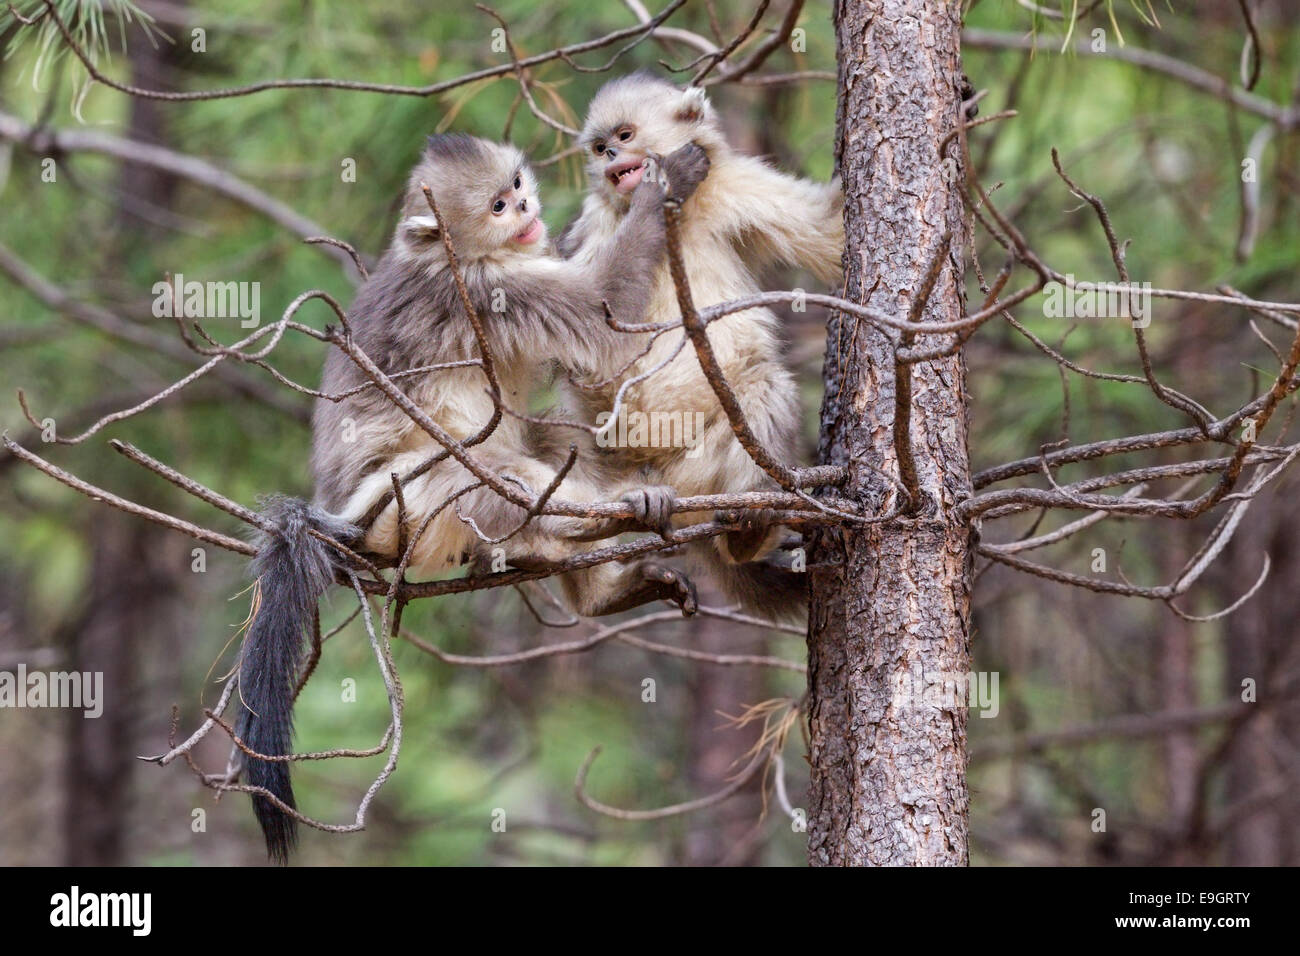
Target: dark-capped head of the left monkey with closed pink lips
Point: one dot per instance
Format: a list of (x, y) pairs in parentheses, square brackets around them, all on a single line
[(487, 194)]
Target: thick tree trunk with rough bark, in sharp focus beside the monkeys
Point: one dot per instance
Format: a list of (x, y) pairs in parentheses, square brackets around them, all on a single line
[(891, 602)]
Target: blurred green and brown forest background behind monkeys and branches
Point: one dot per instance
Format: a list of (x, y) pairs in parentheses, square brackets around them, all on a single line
[(1106, 703)]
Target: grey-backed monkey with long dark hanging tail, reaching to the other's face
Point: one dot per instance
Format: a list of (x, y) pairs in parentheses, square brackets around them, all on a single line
[(536, 309)]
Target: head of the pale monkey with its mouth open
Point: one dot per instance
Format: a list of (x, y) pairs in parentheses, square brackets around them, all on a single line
[(634, 118)]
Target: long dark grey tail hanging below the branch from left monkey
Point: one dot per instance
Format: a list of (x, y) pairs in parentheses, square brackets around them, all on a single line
[(293, 570)]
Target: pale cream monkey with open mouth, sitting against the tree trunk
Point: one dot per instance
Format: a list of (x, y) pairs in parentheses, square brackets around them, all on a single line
[(744, 217)]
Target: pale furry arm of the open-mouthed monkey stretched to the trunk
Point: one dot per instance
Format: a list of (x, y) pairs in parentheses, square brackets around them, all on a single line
[(783, 219)]
